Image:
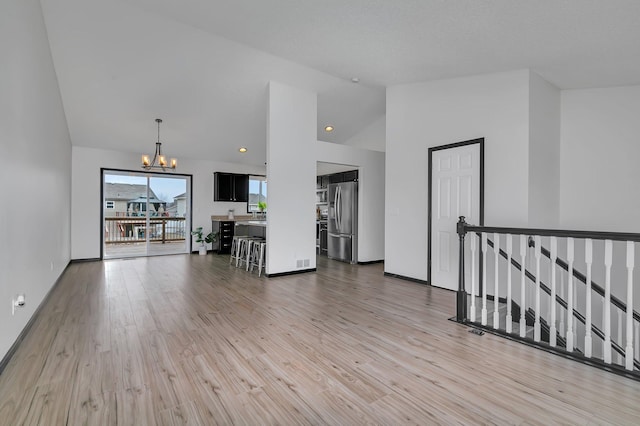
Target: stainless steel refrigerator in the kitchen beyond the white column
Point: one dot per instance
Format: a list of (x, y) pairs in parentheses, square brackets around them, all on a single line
[(342, 222)]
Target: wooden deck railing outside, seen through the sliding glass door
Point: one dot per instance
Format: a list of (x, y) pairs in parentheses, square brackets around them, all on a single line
[(123, 230)]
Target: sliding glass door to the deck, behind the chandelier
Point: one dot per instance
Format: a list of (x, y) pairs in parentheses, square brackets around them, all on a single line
[(145, 214)]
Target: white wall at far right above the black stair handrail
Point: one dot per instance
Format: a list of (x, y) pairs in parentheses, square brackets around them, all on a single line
[(599, 159)]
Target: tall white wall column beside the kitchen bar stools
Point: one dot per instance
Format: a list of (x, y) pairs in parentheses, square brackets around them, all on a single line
[(291, 172)]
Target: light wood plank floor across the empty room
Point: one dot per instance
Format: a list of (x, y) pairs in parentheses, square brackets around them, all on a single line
[(189, 339)]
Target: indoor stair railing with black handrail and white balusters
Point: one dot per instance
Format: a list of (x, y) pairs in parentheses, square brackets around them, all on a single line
[(555, 301)]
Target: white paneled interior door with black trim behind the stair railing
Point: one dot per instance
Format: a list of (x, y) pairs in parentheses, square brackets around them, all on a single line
[(455, 192)]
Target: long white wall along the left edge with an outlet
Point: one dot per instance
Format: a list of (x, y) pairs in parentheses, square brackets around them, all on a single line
[(36, 172)]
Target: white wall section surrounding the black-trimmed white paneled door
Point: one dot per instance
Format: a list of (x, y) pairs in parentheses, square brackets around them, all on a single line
[(436, 113)]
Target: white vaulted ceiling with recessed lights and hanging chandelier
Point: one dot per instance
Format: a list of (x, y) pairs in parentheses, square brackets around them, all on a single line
[(203, 65)]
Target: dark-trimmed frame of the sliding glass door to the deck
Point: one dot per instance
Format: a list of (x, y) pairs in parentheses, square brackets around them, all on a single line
[(148, 176)]
